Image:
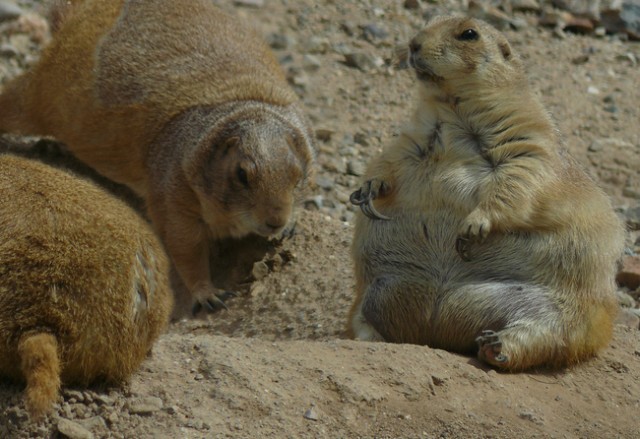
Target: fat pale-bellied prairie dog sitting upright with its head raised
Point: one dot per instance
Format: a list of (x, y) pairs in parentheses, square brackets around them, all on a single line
[(479, 233)]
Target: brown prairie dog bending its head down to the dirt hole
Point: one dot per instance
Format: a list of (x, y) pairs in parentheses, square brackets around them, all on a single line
[(180, 102)]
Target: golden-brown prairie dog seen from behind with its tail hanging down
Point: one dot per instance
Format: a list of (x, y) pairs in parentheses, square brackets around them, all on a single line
[(84, 287)]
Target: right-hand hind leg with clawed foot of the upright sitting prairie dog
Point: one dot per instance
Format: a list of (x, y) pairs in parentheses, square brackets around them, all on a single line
[(515, 326)]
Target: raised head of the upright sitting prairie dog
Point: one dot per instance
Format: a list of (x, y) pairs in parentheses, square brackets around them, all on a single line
[(456, 51)]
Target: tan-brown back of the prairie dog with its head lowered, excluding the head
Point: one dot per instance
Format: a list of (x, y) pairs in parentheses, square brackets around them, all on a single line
[(116, 72)]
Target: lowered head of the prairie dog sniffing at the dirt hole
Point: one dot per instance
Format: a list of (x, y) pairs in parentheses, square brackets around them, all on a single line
[(252, 172)]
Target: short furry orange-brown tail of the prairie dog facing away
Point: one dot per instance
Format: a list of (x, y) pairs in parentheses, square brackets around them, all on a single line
[(40, 365)]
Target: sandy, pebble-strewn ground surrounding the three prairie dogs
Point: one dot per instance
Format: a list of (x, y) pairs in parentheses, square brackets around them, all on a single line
[(277, 363)]
